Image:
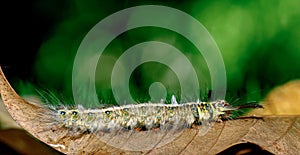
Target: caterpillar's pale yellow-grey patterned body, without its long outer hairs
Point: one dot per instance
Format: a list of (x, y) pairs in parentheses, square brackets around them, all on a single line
[(145, 116)]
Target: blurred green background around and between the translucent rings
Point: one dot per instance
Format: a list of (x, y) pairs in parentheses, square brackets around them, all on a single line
[(259, 41)]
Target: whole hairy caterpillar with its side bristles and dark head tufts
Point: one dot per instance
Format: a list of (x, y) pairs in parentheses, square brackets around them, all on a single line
[(136, 117)]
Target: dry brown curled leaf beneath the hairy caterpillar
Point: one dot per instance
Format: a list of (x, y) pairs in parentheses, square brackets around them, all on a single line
[(276, 134)]
